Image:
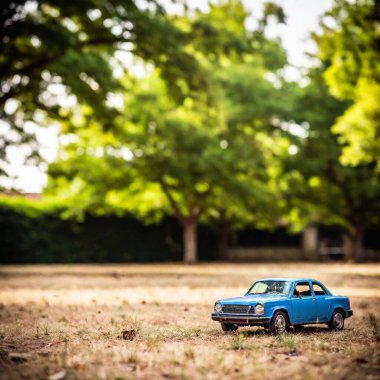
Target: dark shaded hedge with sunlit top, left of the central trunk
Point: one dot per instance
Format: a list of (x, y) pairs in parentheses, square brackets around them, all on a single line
[(34, 232)]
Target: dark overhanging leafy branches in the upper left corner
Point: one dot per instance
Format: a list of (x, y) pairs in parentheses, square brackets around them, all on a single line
[(56, 53)]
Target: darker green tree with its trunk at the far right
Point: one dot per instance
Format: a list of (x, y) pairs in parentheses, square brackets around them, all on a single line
[(320, 188)]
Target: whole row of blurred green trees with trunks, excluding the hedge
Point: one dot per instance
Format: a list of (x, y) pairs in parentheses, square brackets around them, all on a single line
[(213, 131)]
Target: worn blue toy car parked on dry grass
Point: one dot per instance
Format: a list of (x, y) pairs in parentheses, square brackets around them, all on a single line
[(279, 303)]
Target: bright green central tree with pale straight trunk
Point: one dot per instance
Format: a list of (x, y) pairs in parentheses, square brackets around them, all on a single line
[(203, 153)]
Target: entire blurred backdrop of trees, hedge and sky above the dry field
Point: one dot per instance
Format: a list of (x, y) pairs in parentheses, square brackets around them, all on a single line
[(135, 131)]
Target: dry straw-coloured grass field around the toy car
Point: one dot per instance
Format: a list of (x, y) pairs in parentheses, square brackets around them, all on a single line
[(66, 322)]
